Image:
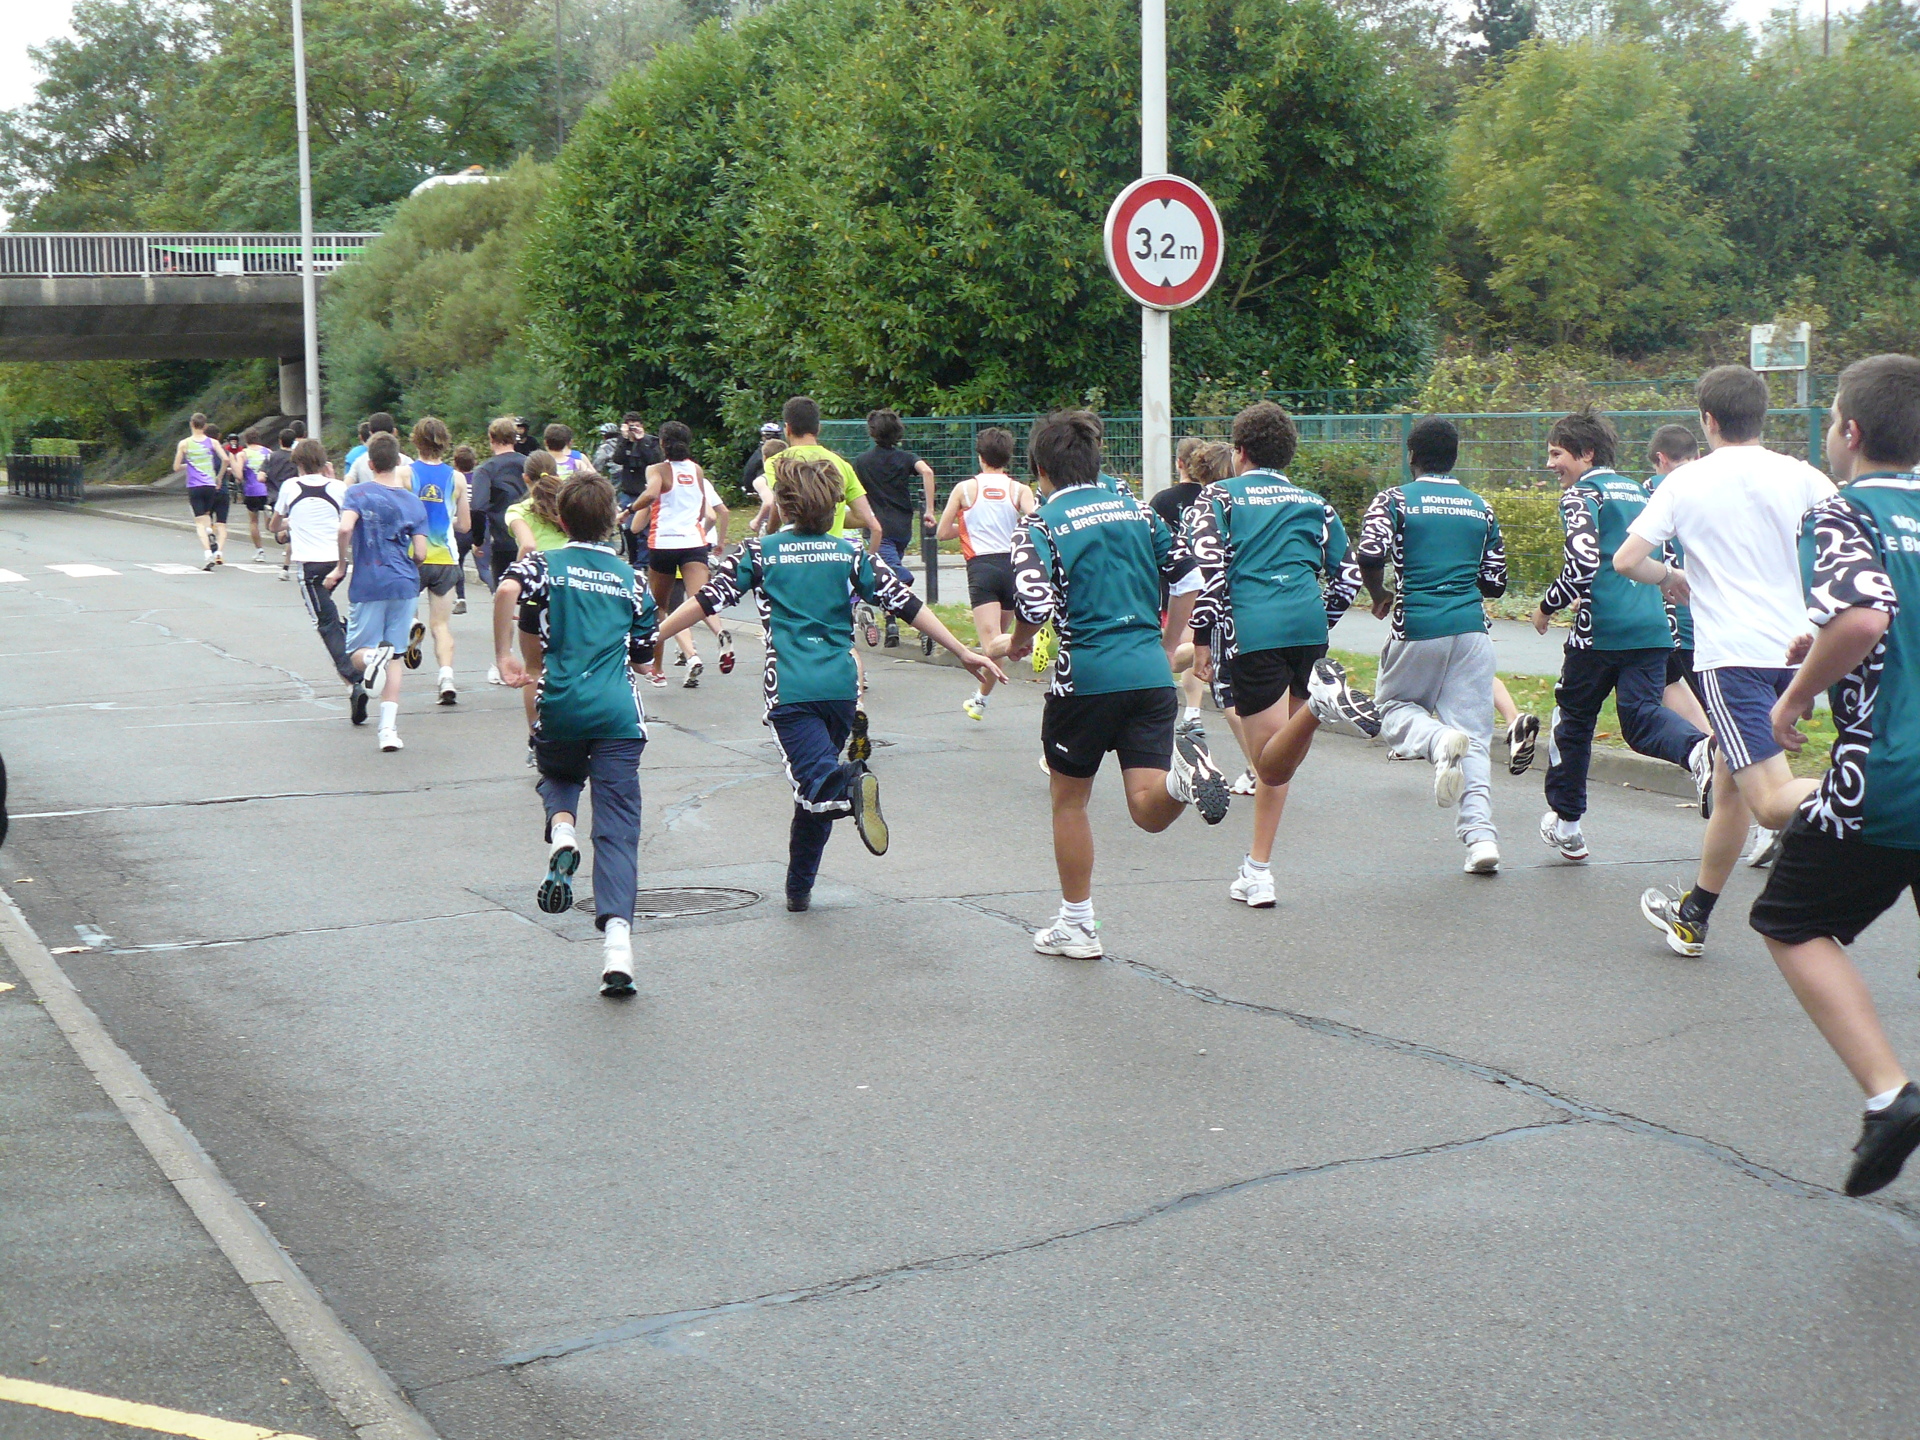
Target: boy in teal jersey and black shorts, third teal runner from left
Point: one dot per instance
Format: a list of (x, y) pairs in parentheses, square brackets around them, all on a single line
[(1092, 562)]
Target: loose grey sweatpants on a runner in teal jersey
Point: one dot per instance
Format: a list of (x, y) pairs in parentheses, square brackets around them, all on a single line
[(1431, 686)]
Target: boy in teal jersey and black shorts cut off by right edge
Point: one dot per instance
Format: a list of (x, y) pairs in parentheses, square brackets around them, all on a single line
[(1854, 846)]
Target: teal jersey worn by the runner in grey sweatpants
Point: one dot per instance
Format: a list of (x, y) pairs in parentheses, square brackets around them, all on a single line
[(1445, 544)]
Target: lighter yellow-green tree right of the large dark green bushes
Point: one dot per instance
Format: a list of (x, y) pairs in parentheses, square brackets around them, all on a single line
[(1568, 172)]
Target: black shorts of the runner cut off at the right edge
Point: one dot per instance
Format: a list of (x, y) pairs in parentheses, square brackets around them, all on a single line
[(1825, 888)]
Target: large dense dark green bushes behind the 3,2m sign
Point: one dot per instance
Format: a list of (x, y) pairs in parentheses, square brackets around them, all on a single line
[(882, 201)]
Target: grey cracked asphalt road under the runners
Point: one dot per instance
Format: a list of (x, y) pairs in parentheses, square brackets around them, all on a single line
[(1414, 1155)]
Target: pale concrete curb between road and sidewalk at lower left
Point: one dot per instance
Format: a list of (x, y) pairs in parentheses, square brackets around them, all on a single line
[(345, 1370)]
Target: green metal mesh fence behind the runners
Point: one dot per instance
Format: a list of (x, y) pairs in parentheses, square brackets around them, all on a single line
[(1351, 458)]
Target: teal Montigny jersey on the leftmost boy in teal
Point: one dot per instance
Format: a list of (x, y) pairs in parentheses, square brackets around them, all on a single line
[(594, 621)]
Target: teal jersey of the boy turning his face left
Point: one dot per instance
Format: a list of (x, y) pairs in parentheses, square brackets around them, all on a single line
[(1612, 613)]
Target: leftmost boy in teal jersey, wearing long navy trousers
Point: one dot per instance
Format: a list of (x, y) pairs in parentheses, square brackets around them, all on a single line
[(585, 623)]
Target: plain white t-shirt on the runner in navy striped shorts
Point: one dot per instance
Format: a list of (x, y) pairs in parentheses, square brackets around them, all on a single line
[(1737, 512)]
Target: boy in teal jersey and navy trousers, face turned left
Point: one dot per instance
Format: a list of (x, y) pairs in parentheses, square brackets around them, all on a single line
[(1621, 640)]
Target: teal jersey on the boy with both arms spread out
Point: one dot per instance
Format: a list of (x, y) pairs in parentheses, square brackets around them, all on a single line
[(805, 588)]
